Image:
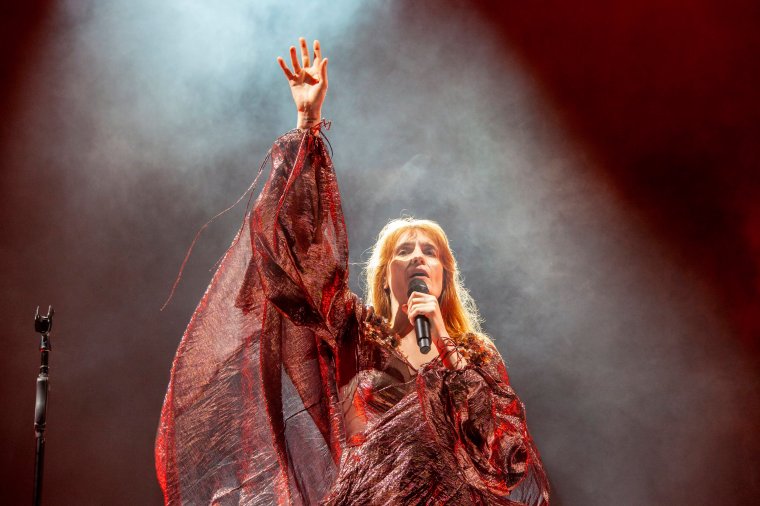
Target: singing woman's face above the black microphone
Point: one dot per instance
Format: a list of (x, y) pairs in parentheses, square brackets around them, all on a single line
[(414, 255)]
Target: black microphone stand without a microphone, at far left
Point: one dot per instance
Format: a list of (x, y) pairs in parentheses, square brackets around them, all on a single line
[(42, 325)]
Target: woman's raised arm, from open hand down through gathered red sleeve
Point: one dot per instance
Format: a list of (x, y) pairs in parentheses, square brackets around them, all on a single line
[(298, 234)]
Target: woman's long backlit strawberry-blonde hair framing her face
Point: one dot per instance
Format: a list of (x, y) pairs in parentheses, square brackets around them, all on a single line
[(460, 314)]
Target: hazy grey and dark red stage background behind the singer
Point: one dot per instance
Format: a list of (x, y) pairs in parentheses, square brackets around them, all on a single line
[(594, 165)]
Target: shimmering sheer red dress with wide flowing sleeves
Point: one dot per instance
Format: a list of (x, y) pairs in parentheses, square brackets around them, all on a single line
[(285, 389)]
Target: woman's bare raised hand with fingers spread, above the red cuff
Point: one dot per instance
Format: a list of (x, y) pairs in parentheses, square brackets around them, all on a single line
[(308, 82)]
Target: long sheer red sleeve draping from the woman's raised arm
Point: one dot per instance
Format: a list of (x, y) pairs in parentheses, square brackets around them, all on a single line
[(250, 415)]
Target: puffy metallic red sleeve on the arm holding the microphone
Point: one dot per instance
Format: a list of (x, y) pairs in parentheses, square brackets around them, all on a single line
[(476, 411)]
